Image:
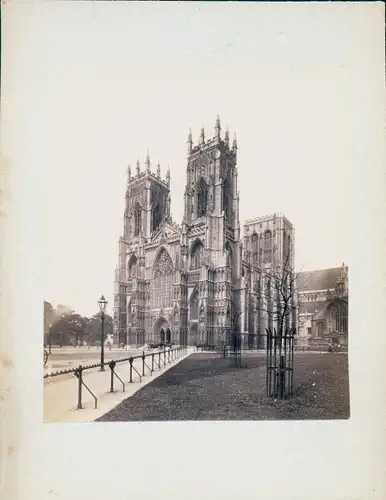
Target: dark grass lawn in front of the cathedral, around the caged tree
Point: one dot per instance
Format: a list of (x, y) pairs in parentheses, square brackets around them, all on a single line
[(206, 387)]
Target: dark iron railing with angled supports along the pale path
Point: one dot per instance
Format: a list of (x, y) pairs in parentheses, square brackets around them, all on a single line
[(158, 360)]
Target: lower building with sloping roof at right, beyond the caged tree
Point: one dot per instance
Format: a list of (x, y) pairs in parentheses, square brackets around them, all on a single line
[(323, 307)]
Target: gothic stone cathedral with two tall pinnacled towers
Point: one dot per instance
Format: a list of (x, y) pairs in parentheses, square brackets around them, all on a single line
[(200, 281)]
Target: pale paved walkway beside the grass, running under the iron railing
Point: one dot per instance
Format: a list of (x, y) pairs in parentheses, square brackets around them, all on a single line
[(61, 392)]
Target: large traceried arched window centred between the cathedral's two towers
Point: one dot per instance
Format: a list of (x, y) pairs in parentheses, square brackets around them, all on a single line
[(162, 284)]
